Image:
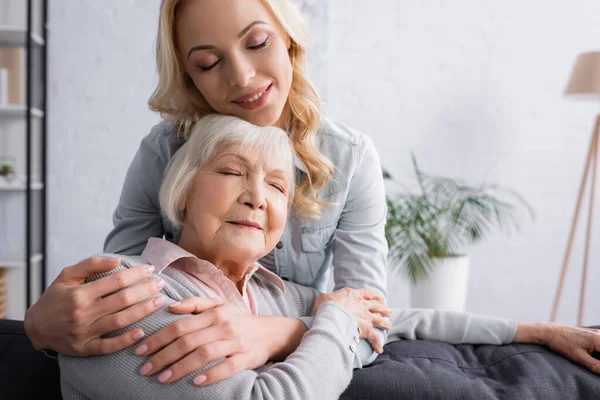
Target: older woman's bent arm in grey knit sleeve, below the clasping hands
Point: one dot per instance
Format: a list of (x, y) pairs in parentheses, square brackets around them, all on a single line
[(321, 366)]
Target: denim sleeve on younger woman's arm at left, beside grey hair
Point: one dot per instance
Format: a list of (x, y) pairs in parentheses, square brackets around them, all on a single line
[(137, 216)]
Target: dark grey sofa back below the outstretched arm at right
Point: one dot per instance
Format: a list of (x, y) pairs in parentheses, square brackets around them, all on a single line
[(420, 369)]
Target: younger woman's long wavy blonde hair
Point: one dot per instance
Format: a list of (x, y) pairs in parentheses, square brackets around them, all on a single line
[(177, 99)]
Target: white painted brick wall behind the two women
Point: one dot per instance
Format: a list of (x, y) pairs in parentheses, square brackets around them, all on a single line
[(474, 88)]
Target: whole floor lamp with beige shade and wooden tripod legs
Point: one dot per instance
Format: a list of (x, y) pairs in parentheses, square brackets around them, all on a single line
[(584, 83)]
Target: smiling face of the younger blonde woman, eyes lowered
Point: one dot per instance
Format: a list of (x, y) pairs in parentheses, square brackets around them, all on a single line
[(236, 54)]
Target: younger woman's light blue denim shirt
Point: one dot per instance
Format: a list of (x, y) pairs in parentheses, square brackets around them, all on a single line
[(348, 239)]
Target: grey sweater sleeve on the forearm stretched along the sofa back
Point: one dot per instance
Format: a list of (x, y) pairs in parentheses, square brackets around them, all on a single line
[(450, 327)]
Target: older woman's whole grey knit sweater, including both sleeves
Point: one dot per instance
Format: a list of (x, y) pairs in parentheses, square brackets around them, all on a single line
[(320, 368)]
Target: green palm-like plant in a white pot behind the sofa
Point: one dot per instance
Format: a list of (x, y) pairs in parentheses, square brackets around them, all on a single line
[(427, 233)]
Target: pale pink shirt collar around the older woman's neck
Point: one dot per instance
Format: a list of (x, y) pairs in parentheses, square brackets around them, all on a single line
[(162, 253)]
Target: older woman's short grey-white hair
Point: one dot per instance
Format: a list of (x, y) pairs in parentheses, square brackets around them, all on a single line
[(208, 137)]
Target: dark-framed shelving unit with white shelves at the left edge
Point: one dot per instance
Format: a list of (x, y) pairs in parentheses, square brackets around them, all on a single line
[(23, 31)]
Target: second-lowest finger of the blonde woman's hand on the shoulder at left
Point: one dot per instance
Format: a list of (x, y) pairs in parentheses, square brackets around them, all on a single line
[(126, 317)]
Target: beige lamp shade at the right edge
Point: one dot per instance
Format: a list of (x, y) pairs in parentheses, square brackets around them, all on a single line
[(585, 78)]
